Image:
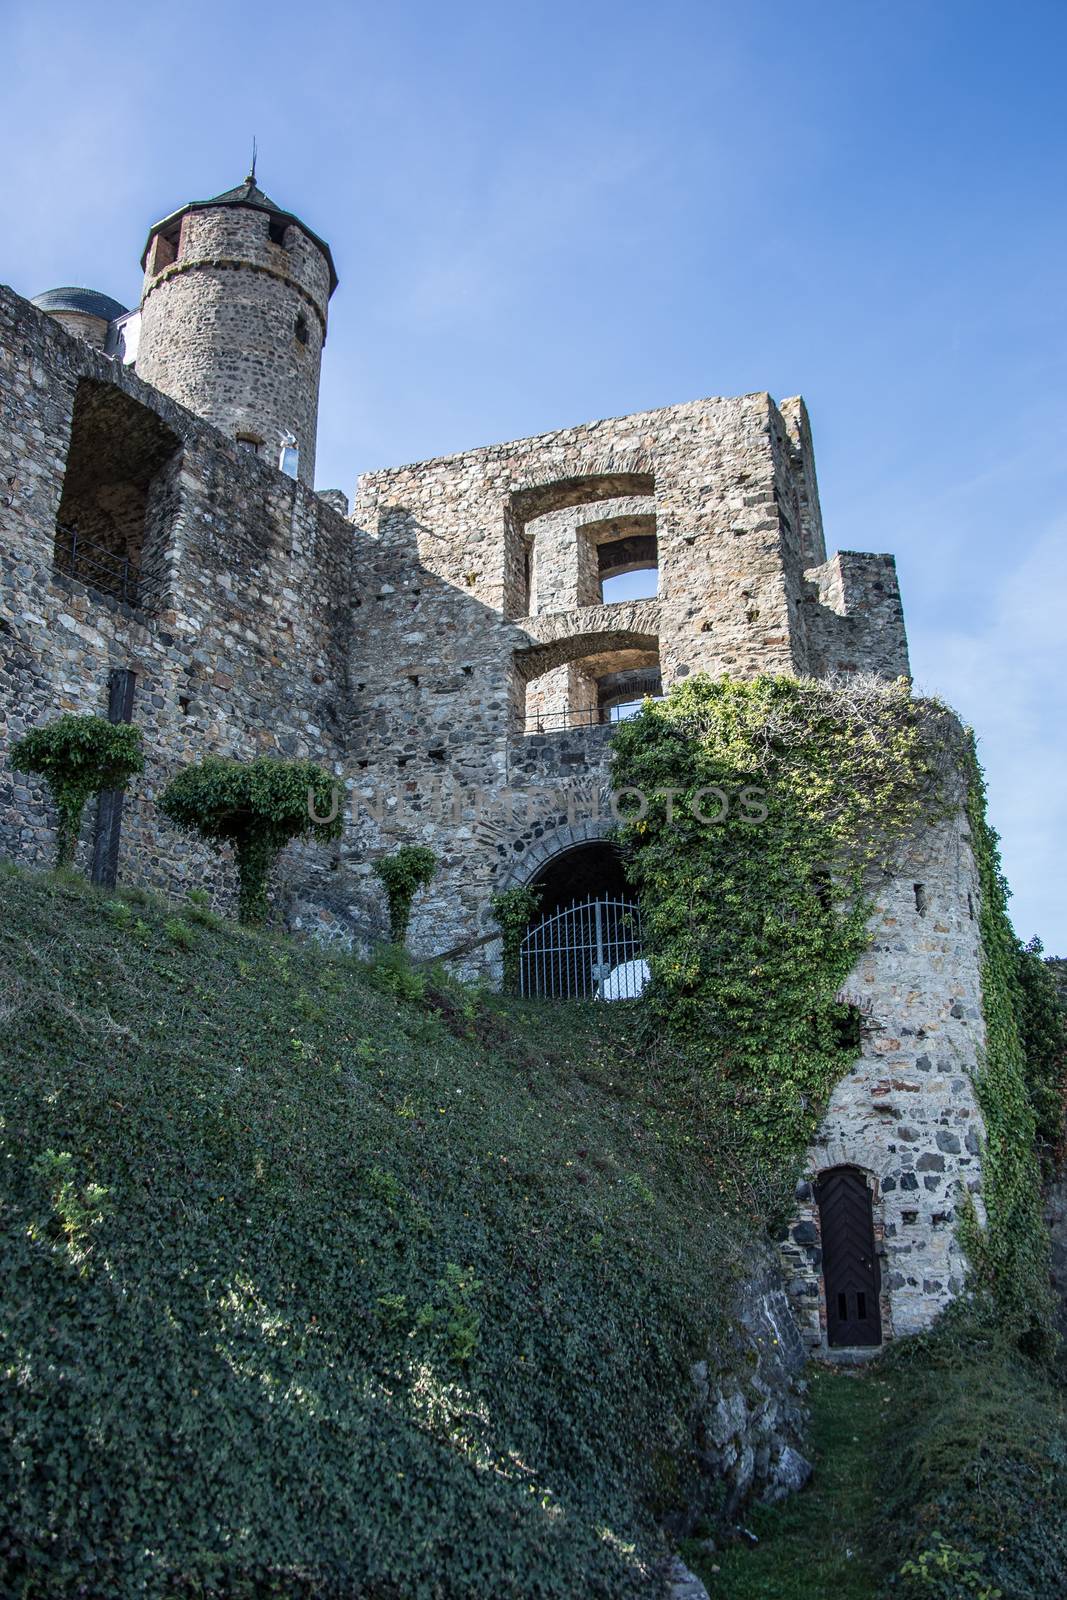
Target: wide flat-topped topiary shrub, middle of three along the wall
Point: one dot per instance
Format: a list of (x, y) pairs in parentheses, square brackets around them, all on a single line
[(258, 807)]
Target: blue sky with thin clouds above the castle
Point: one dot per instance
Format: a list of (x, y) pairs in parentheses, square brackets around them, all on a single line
[(551, 214)]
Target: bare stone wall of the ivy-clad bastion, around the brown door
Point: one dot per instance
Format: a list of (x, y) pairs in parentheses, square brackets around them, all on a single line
[(906, 1114)]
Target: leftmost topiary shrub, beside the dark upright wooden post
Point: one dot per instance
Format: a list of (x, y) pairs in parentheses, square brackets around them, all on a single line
[(79, 756)]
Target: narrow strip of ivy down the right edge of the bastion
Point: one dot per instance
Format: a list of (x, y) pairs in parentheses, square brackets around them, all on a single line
[(1010, 1255)]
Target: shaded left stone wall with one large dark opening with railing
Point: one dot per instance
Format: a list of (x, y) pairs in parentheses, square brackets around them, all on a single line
[(244, 652)]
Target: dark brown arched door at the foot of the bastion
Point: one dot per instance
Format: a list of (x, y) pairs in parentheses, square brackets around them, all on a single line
[(850, 1268)]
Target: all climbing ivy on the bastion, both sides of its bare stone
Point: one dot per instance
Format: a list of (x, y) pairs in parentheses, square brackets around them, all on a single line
[(764, 812)]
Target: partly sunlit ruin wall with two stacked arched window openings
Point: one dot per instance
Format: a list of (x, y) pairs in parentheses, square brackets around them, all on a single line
[(732, 489)]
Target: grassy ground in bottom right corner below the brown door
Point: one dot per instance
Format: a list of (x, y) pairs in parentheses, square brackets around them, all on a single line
[(940, 1474)]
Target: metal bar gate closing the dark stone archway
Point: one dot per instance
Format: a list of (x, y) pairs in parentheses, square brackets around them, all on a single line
[(589, 951)]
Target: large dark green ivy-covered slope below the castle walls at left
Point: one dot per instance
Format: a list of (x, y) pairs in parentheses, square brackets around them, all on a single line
[(318, 1290)]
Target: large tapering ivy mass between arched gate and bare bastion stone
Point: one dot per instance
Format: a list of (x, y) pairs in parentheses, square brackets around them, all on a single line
[(769, 806)]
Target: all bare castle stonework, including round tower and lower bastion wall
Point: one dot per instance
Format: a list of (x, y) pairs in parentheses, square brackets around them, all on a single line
[(450, 650)]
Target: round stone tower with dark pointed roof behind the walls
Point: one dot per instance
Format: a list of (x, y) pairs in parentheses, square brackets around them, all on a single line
[(234, 321)]
